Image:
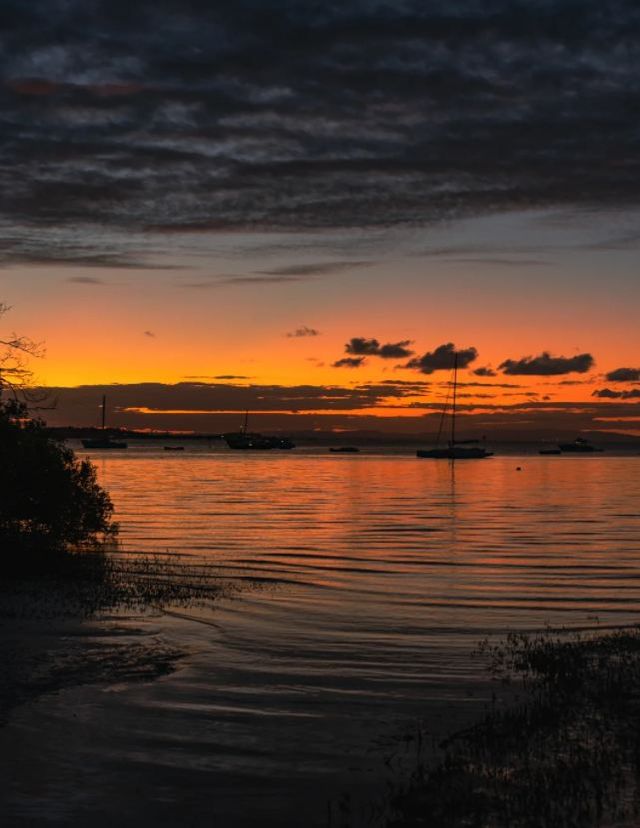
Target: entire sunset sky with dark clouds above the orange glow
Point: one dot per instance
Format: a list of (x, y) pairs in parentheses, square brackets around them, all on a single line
[(303, 209)]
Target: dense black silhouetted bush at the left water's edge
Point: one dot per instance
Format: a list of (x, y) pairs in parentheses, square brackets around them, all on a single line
[(49, 500)]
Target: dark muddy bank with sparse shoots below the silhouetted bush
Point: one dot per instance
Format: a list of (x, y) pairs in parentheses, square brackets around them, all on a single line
[(72, 618)]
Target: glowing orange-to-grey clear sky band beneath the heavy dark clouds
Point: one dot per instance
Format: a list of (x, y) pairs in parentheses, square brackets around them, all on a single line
[(209, 306)]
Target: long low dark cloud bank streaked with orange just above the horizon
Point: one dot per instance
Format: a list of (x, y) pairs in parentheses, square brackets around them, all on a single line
[(215, 407)]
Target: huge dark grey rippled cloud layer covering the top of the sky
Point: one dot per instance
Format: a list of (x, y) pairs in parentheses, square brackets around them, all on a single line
[(253, 115)]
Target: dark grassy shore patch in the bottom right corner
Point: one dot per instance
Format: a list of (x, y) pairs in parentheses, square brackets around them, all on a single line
[(566, 755)]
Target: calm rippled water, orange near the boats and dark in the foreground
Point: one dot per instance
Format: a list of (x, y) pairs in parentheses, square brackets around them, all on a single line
[(376, 575)]
